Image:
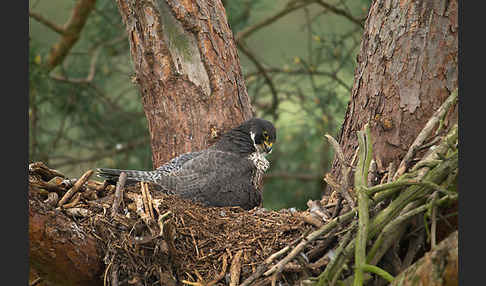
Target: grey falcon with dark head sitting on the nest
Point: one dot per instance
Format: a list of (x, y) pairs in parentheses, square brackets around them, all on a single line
[(229, 173)]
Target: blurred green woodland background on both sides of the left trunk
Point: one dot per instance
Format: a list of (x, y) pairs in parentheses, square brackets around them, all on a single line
[(298, 59)]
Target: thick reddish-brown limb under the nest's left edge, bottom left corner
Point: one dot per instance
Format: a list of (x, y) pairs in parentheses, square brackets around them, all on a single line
[(59, 251)]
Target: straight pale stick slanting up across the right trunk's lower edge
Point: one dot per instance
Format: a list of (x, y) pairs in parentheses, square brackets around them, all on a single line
[(426, 131)]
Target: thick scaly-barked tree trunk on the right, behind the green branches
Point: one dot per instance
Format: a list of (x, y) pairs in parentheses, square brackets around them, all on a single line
[(407, 66)]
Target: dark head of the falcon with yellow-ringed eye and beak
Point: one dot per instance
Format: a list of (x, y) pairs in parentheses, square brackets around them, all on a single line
[(263, 135)]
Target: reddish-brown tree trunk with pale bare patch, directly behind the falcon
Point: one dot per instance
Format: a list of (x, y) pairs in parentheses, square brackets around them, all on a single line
[(188, 71)]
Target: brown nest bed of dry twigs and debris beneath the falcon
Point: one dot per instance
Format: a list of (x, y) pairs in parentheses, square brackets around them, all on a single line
[(176, 241)]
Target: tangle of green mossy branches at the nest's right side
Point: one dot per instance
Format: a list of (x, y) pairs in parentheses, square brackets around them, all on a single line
[(413, 193)]
